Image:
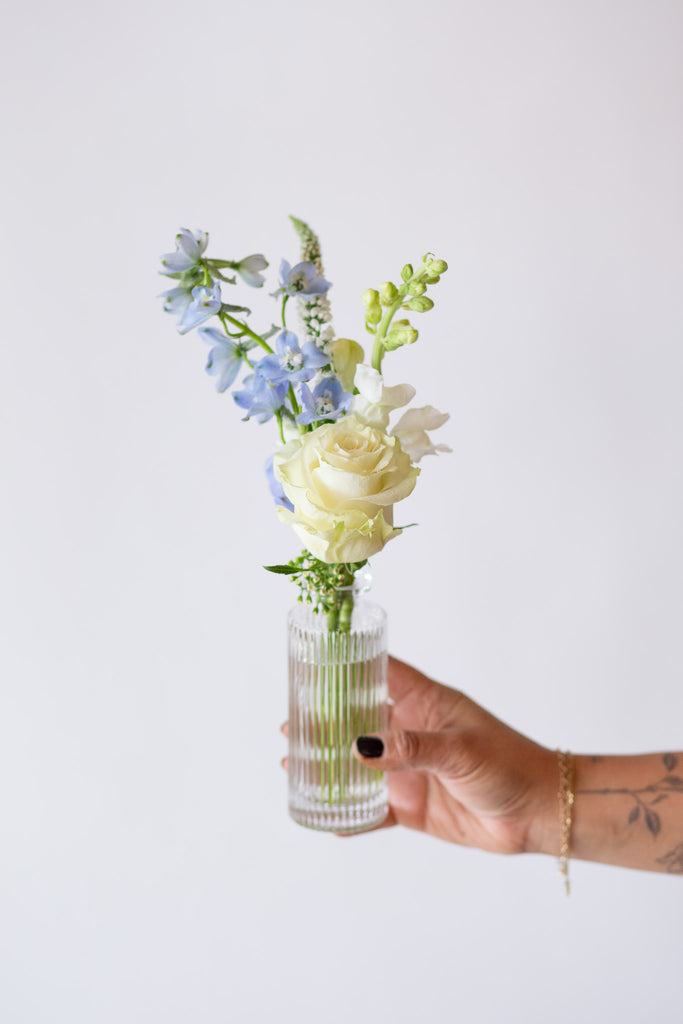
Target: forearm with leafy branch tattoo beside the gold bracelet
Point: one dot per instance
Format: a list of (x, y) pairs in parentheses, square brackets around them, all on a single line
[(627, 812)]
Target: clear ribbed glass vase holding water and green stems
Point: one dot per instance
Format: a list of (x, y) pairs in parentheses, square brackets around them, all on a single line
[(338, 692)]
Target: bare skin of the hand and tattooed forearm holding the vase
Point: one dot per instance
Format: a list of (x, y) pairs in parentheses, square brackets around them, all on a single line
[(458, 774)]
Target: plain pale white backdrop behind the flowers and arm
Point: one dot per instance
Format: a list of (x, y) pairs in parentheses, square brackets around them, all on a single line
[(149, 872)]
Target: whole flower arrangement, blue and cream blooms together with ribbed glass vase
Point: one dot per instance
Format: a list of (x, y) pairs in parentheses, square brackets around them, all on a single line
[(336, 476)]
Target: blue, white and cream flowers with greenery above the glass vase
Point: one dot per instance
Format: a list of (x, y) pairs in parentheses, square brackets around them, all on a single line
[(339, 470)]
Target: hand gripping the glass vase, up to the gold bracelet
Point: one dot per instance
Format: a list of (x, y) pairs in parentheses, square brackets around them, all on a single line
[(458, 774)]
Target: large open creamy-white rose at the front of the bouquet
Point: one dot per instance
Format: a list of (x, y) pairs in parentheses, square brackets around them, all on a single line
[(344, 480)]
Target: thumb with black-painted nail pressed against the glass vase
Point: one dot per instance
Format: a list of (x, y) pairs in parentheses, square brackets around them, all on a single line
[(407, 750)]
